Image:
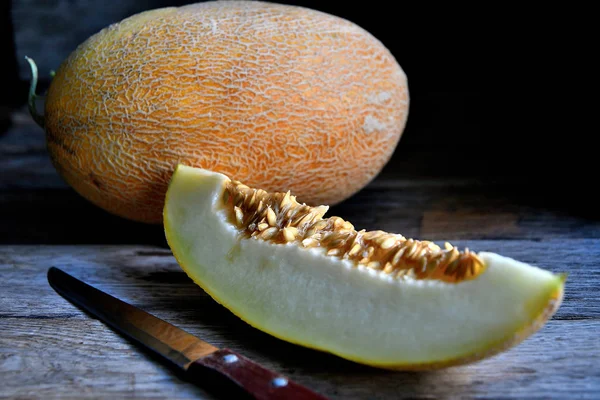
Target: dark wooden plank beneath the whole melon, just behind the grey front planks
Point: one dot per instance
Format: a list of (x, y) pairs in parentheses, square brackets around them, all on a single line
[(61, 216)]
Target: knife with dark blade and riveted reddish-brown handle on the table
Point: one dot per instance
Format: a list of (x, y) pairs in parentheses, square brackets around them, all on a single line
[(217, 369)]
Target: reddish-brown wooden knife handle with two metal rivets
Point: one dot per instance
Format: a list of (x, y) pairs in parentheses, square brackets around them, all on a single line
[(253, 379)]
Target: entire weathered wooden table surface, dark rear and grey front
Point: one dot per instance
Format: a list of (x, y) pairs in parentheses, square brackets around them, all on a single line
[(50, 349)]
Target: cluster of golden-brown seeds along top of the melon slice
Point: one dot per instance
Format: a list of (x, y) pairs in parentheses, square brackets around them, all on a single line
[(279, 218)]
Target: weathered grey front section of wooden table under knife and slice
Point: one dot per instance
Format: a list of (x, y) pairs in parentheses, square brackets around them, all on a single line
[(50, 349)]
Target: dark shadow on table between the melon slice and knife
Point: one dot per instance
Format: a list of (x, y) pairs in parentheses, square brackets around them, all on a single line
[(192, 309)]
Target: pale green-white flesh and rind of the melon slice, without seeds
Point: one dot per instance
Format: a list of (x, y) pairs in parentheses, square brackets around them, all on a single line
[(305, 297)]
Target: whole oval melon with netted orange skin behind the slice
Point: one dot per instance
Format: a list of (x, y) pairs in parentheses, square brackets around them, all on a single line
[(280, 97)]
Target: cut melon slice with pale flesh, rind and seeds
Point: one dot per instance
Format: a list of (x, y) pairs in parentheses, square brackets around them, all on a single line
[(372, 297)]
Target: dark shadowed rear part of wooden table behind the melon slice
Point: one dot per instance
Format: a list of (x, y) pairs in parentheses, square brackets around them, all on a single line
[(37, 206)]
